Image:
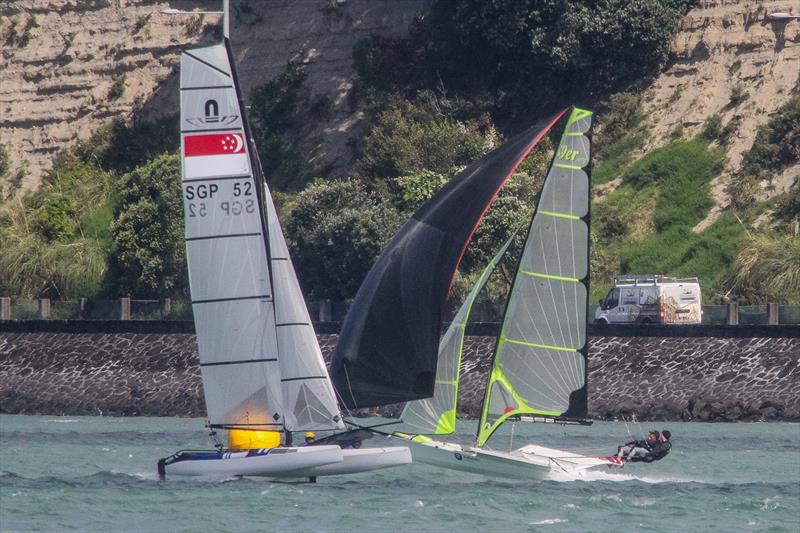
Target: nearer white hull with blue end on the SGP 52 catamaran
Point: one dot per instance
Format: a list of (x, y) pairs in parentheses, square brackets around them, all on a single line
[(268, 462)]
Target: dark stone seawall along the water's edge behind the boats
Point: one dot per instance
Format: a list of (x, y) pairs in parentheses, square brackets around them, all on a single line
[(151, 370)]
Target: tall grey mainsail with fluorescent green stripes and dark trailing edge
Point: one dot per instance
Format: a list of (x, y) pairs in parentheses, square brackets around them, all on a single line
[(539, 365)]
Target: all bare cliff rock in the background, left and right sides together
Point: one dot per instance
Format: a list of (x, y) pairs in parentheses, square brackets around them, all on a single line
[(84, 62)]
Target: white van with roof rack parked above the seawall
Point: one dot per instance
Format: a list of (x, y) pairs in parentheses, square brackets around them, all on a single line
[(651, 299)]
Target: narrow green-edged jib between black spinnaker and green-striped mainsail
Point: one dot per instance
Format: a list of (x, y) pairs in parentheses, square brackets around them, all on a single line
[(437, 414)]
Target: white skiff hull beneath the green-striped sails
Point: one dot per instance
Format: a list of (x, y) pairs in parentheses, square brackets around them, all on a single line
[(530, 462)]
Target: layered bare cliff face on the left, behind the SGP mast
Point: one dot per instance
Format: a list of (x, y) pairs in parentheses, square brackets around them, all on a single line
[(84, 62)]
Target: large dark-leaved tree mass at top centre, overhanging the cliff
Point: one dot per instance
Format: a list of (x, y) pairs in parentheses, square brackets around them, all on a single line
[(510, 53)]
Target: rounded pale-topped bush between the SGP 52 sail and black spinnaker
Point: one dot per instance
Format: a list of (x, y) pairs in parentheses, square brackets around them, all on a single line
[(336, 231)]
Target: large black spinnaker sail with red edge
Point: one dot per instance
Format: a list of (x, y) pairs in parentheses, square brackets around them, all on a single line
[(387, 350)]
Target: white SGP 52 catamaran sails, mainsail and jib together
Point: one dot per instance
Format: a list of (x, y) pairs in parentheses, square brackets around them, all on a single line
[(256, 370)]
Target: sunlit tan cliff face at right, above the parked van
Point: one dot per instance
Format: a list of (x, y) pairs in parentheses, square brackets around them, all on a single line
[(727, 60)]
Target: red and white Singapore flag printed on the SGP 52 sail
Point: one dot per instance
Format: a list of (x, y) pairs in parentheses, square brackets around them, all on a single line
[(215, 154)]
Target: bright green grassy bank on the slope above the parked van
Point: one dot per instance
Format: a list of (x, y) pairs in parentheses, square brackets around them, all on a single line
[(645, 225)]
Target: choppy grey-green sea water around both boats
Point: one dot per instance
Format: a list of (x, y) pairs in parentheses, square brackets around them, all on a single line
[(99, 474)]
